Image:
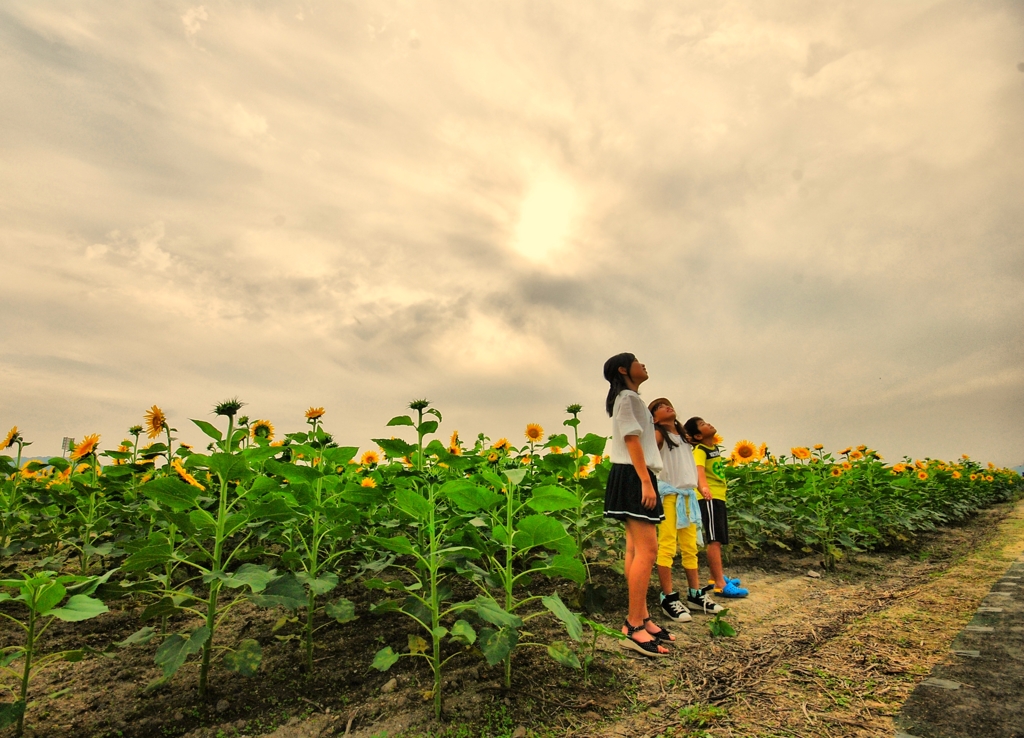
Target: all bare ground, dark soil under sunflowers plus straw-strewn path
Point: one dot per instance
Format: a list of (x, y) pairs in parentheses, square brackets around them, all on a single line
[(835, 656)]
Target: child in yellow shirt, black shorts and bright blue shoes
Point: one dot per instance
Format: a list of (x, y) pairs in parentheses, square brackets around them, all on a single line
[(712, 486)]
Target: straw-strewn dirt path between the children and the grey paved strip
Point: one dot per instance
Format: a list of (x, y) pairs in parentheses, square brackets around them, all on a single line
[(831, 657)]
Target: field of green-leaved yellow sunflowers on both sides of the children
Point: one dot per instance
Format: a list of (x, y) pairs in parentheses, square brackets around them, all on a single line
[(463, 541)]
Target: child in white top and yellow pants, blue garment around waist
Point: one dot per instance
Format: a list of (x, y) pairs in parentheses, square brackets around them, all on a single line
[(676, 486)]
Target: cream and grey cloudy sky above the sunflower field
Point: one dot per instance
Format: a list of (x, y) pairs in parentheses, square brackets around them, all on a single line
[(806, 219)]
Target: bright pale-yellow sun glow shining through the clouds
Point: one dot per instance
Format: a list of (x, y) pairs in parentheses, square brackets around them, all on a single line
[(547, 215)]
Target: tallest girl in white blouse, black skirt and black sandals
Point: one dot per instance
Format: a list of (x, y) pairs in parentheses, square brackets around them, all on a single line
[(631, 496)]
